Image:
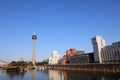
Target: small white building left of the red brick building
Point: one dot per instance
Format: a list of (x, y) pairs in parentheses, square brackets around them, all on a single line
[(55, 58)]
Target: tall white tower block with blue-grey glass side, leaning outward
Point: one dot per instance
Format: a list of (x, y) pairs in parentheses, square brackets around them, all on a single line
[(98, 43)]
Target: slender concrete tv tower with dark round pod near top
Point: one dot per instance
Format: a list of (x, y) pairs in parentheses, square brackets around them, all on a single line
[(34, 37)]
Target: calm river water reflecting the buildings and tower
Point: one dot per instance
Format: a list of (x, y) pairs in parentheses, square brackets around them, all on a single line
[(58, 75)]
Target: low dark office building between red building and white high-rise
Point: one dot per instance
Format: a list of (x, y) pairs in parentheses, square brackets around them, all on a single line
[(82, 58)]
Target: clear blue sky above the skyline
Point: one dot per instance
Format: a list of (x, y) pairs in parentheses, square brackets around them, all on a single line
[(58, 24)]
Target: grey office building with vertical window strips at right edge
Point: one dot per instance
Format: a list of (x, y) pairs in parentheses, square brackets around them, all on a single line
[(111, 53)]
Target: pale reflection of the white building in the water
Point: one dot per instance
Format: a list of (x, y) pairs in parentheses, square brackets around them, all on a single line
[(55, 75)]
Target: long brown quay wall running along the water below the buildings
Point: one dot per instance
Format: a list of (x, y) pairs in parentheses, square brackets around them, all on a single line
[(87, 67)]
